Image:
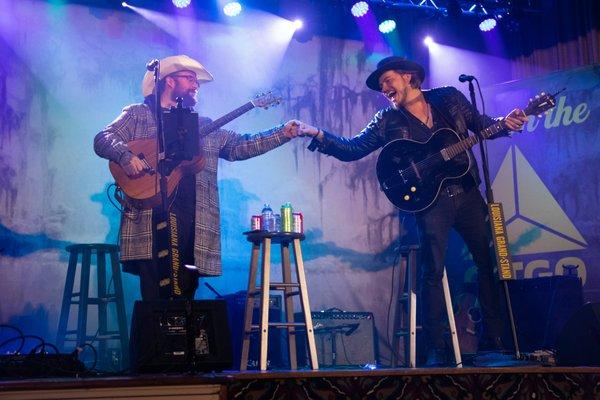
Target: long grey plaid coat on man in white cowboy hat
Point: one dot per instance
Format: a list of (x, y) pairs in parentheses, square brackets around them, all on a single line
[(137, 122)]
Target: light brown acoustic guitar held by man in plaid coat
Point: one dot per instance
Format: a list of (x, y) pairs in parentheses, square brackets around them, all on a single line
[(143, 190)]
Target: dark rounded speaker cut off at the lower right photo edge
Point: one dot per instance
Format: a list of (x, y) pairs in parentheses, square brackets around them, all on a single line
[(578, 344)]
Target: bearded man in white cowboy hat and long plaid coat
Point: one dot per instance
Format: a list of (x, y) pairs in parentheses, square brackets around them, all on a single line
[(196, 201)]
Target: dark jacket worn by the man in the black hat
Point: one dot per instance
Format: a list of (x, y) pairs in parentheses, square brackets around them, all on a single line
[(390, 124)]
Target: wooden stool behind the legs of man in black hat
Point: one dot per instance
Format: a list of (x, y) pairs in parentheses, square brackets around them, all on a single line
[(406, 309)]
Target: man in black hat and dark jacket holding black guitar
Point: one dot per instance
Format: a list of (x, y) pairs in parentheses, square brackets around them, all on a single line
[(416, 114)]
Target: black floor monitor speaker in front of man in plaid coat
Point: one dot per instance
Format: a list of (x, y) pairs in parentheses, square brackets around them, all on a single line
[(180, 336)]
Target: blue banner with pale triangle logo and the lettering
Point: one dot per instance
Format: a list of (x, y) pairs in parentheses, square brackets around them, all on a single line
[(547, 177)]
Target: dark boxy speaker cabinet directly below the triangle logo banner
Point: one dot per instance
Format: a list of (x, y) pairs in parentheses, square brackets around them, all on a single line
[(541, 308)]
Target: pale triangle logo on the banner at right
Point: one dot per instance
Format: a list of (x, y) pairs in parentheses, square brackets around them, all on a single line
[(535, 222)]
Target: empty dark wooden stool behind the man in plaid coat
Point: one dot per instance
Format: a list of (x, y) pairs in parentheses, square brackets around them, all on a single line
[(82, 299)]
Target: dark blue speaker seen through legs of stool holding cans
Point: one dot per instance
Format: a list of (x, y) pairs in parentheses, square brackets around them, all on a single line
[(236, 304)]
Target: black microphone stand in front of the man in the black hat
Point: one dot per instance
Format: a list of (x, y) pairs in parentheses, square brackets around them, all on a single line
[(490, 199)]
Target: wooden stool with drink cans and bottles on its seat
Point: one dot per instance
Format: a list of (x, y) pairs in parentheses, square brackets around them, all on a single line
[(265, 239)]
